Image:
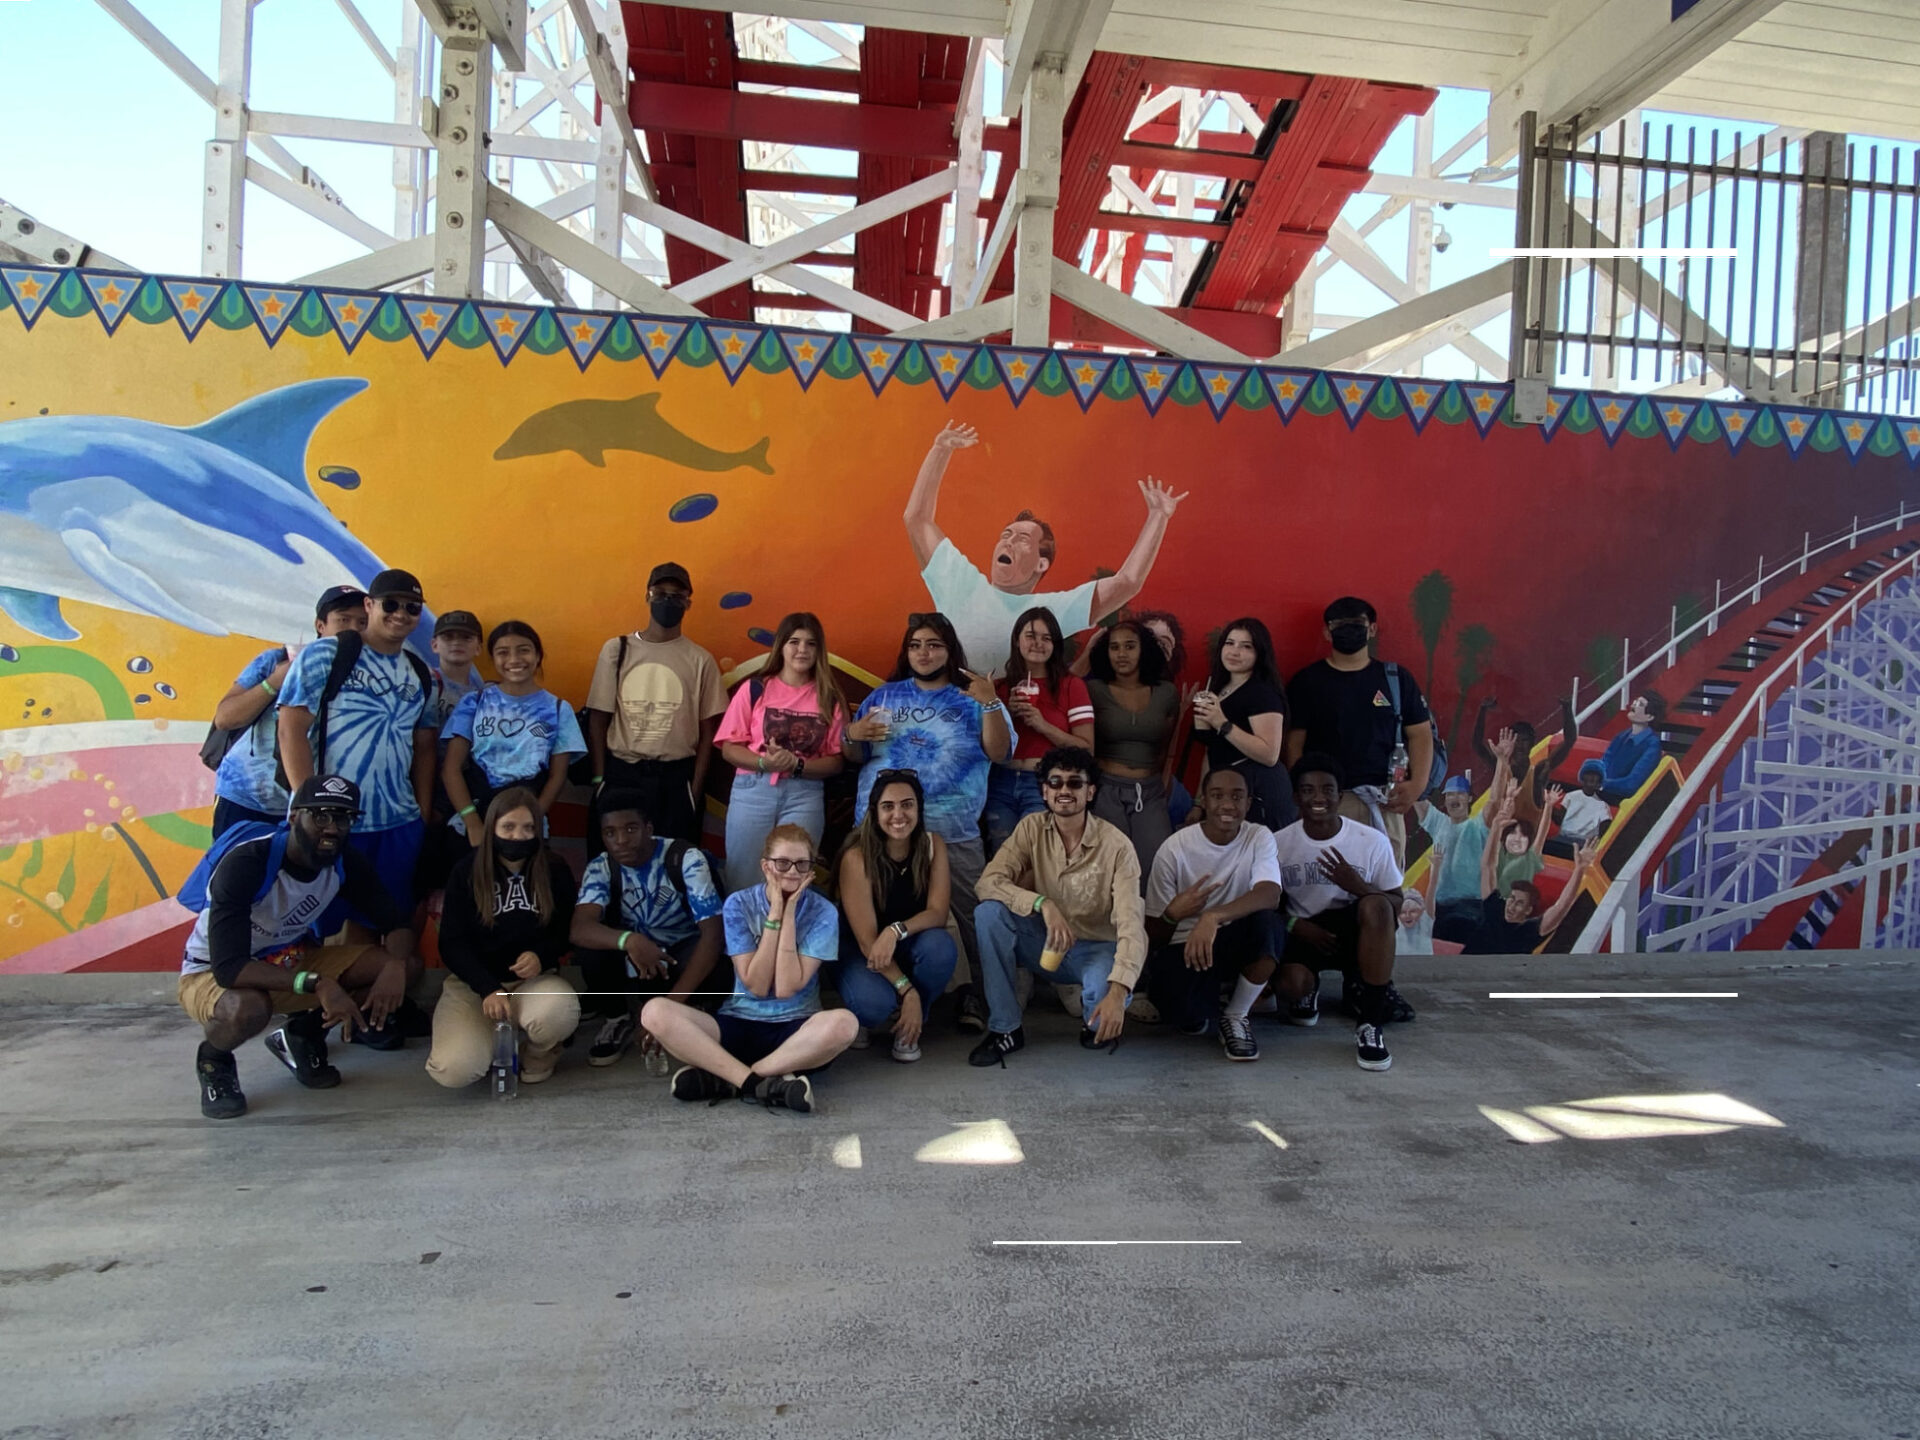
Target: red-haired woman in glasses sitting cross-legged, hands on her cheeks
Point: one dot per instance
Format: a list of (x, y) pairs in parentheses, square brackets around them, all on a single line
[(771, 1032)]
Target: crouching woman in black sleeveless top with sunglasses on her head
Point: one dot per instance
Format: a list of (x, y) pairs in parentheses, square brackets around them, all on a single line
[(894, 886)]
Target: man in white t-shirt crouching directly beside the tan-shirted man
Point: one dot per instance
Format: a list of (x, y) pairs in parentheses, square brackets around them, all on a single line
[(1214, 896)]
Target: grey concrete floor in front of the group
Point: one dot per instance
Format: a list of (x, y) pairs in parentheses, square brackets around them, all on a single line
[(598, 1260)]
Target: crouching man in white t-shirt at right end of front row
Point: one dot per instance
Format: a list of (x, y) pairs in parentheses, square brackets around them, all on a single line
[(1343, 898)]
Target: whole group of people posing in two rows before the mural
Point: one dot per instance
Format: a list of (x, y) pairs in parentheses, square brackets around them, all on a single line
[(1028, 823)]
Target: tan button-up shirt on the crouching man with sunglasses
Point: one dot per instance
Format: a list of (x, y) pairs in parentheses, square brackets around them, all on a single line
[(1099, 886)]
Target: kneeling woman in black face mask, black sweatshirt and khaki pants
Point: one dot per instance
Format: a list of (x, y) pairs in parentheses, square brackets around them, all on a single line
[(502, 938)]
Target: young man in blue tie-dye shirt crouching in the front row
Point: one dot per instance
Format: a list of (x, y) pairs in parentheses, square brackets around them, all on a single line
[(648, 921)]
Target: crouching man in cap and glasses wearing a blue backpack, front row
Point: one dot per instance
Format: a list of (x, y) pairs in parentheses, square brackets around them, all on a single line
[(256, 949)]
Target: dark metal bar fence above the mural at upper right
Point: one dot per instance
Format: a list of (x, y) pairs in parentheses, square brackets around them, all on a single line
[(1813, 295)]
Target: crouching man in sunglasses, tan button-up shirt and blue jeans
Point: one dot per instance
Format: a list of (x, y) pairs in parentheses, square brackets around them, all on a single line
[(1063, 898)]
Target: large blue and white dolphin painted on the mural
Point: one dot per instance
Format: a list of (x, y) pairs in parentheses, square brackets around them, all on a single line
[(210, 527)]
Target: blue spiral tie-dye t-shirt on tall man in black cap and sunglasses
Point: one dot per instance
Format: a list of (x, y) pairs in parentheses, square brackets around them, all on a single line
[(370, 727)]
